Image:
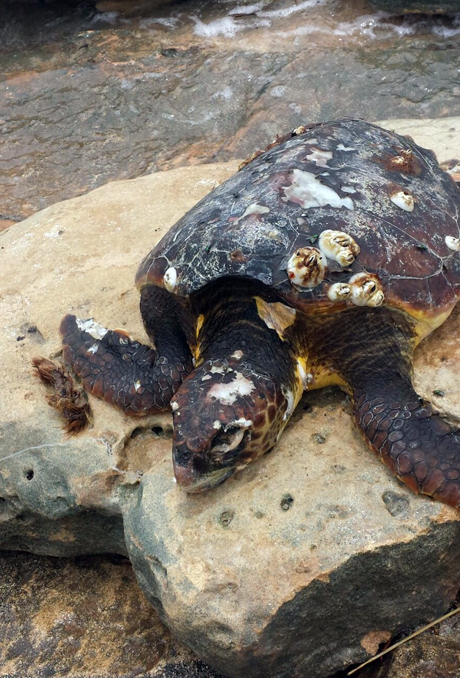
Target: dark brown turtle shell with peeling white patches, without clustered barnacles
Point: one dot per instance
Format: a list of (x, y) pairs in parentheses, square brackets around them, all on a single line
[(342, 176)]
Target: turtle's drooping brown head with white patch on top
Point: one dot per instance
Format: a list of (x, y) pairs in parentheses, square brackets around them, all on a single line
[(225, 416)]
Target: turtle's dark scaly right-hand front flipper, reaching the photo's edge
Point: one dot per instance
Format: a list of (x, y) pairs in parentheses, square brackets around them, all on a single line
[(372, 352)]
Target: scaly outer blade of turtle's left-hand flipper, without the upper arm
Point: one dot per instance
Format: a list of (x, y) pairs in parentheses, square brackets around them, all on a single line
[(123, 372)]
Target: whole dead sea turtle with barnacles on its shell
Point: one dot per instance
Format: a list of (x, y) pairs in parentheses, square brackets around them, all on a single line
[(325, 260)]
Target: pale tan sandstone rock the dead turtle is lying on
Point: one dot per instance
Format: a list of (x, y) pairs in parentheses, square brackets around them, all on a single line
[(300, 565)]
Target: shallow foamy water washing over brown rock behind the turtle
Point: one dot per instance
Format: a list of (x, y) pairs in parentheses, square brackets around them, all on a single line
[(94, 93)]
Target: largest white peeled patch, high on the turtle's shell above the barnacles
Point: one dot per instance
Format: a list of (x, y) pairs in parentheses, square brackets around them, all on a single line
[(306, 190)]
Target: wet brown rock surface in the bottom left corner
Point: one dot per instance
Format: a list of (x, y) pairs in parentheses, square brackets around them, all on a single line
[(84, 617)]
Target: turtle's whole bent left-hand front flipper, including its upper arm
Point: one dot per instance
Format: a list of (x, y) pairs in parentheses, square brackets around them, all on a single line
[(127, 374)]
